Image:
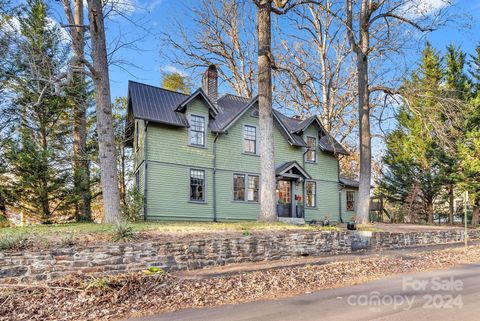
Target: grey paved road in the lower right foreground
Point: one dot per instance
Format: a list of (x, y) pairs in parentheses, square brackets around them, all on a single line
[(452, 294)]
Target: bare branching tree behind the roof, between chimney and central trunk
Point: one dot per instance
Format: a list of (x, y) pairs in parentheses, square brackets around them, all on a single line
[(222, 34)]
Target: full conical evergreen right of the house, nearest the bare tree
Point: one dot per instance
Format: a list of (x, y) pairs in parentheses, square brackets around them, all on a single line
[(413, 176)]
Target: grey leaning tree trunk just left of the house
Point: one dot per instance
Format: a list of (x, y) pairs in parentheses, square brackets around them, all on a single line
[(106, 138)]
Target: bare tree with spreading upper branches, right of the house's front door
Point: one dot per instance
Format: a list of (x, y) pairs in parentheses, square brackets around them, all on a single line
[(367, 35)]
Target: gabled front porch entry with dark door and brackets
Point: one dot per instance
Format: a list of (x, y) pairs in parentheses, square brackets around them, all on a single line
[(291, 193)]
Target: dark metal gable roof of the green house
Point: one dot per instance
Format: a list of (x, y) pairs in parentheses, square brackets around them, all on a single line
[(167, 107)]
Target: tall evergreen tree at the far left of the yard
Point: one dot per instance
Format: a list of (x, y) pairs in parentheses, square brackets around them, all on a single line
[(38, 149)]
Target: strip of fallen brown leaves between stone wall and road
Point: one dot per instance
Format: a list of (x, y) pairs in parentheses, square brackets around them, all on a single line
[(116, 297)]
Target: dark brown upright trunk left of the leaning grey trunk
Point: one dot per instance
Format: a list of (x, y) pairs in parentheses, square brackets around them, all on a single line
[(81, 164)]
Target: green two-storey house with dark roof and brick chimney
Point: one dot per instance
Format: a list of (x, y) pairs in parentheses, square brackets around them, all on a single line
[(196, 157)]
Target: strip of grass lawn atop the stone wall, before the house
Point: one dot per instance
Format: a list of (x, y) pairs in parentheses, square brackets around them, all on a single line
[(56, 235)]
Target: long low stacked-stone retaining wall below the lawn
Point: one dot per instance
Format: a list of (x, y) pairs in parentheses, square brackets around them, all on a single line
[(199, 253)]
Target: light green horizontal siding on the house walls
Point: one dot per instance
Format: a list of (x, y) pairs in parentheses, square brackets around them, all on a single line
[(170, 158)]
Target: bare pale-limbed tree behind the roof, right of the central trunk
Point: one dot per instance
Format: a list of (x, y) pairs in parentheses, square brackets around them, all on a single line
[(317, 72)]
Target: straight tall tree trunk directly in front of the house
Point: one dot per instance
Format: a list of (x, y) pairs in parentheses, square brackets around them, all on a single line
[(267, 157)]
